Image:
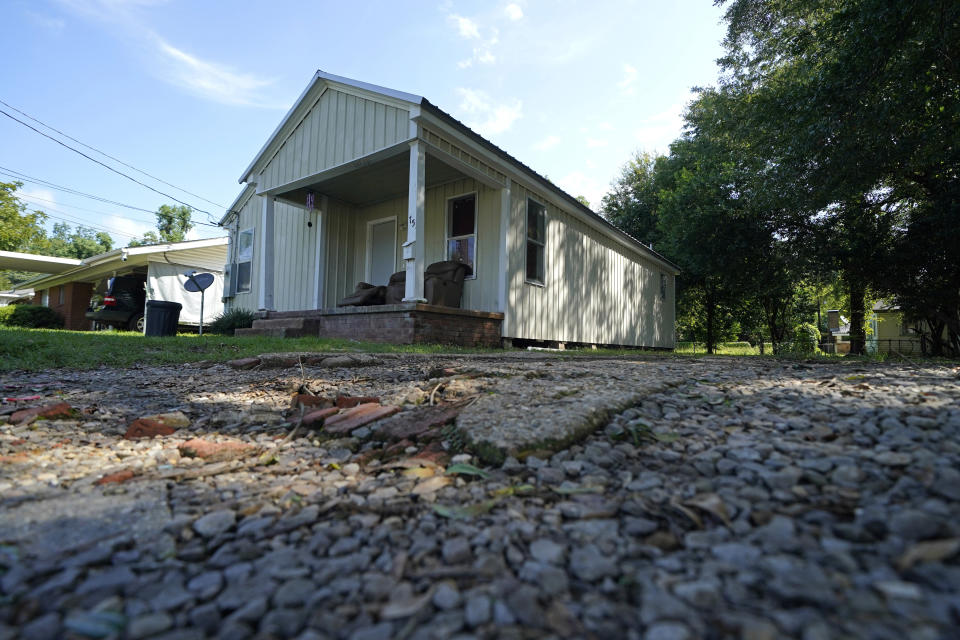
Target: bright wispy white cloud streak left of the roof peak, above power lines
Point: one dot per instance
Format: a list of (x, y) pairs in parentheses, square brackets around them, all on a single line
[(208, 79)]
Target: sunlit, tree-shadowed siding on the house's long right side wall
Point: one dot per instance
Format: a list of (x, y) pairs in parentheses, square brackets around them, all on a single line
[(595, 290)]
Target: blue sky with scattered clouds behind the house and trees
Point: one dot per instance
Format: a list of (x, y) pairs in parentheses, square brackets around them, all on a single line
[(189, 91)]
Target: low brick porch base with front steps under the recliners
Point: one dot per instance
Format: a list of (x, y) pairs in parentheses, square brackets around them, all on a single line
[(407, 323)]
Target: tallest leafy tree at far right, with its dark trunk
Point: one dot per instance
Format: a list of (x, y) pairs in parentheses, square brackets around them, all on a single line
[(855, 107)]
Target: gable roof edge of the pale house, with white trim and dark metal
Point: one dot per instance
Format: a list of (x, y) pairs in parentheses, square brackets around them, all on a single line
[(321, 79)]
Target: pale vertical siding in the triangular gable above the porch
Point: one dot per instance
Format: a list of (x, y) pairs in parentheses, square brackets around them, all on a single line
[(340, 127)]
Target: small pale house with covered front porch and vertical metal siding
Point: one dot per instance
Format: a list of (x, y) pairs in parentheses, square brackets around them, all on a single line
[(359, 181)]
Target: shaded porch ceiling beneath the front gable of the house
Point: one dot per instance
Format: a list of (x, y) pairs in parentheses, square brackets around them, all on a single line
[(382, 180)]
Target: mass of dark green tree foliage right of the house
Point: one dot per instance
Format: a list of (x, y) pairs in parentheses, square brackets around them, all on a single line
[(830, 148)]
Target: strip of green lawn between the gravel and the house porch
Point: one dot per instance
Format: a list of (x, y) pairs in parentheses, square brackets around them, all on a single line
[(38, 349)]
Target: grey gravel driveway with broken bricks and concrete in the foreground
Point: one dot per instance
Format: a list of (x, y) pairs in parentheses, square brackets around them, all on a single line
[(518, 496)]
